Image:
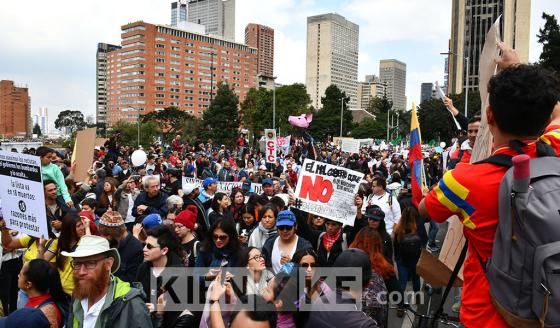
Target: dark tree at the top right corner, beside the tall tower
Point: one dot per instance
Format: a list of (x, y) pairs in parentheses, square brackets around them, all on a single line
[(549, 37)]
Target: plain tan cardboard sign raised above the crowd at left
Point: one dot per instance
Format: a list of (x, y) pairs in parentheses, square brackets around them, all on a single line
[(82, 156)]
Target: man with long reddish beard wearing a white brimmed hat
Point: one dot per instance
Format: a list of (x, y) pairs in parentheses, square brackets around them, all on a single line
[(101, 299)]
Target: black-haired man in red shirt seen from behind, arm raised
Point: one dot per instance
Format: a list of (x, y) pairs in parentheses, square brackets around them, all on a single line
[(524, 103)]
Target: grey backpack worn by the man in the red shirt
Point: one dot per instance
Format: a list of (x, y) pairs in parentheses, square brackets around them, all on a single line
[(524, 270)]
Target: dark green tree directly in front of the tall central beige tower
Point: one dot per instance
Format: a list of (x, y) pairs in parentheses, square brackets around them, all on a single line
[(326, 122)]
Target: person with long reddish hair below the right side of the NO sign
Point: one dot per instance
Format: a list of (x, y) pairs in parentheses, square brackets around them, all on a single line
[(383, 276)]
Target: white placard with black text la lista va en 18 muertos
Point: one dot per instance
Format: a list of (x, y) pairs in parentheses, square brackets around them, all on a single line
[(23, 199)]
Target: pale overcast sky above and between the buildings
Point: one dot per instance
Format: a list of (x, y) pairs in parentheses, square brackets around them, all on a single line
[(51, 45)]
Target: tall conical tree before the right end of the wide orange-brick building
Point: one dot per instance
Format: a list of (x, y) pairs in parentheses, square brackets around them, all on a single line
[(221, 120)]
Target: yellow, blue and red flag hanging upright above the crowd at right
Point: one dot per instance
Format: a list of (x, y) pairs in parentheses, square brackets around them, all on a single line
[(415, 162)]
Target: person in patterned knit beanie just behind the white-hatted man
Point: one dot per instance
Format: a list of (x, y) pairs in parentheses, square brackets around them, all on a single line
[(112, 228)]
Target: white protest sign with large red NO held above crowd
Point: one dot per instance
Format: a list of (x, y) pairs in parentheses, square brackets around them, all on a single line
[(328, 191)]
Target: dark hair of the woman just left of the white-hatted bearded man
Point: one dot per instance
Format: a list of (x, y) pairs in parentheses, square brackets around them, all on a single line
[(45, 279)]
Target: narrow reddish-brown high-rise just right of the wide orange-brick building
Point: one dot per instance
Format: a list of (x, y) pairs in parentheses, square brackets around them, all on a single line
[(262, 38)]
